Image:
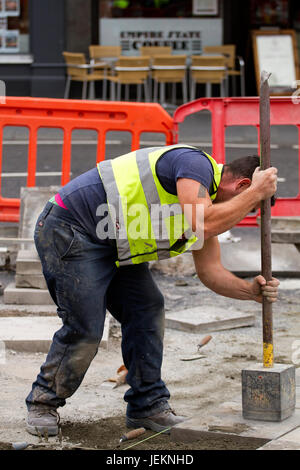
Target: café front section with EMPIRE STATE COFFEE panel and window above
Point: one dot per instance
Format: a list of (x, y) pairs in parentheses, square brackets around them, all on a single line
[(186, 26)]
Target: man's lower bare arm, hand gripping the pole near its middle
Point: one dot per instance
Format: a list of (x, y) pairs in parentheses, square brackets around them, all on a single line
[(214, 276)]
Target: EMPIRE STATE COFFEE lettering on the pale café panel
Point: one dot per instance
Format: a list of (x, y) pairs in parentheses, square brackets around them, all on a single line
[(178, 40)]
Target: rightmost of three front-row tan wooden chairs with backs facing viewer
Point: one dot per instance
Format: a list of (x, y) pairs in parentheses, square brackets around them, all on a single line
[(208, 70)]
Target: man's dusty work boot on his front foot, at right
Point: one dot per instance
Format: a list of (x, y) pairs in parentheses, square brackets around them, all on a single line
[(159, 422)]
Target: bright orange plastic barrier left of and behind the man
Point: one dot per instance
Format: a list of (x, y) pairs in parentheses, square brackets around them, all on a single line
[(69, 115)]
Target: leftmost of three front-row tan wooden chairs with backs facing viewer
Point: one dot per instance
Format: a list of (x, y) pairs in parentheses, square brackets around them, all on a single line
[(131, 71)]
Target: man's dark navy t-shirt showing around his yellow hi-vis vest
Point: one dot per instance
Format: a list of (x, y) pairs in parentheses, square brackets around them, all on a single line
[(85, 193)]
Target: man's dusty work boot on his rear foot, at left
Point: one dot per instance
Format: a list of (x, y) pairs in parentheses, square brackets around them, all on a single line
[(43, 420)]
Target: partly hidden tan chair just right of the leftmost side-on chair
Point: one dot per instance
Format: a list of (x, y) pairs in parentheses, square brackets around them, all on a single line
[(108, 55)]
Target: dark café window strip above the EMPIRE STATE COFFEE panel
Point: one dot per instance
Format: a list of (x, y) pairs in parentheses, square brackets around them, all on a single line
[(155, 8)]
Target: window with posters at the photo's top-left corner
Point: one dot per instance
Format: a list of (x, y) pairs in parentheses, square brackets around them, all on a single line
[(14, 26)]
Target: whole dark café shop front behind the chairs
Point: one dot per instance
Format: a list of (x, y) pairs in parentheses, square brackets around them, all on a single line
[(34, 33)]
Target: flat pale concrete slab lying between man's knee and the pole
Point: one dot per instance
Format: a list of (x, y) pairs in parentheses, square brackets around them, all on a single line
[(207, 318)]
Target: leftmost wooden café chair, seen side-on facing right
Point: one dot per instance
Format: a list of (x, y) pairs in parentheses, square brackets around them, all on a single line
[(78, 71)]
